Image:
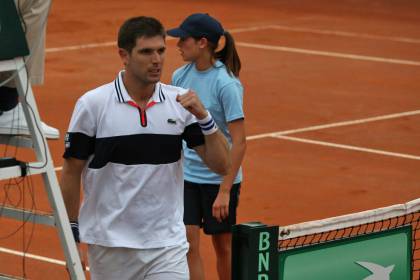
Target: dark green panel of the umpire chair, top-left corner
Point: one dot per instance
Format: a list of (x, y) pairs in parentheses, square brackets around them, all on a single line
[(12, 38)]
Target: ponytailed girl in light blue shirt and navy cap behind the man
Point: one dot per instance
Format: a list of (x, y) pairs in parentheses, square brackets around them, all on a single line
[(211, 200)]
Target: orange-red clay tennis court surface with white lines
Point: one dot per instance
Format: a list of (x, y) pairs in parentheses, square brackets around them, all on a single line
[(332, 103)]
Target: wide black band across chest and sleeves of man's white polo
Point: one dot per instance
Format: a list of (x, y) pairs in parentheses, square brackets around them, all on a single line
[(132, 149)]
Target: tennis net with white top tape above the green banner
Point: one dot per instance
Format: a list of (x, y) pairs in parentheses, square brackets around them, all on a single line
[(357, 224)]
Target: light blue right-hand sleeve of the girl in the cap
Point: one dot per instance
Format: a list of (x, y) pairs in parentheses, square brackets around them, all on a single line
[(232, 101)]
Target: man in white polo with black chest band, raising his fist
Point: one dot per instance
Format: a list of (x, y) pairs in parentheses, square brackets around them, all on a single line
[(124, 142)]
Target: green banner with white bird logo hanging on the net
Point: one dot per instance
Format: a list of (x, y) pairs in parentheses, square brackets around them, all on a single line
[(377, 256)]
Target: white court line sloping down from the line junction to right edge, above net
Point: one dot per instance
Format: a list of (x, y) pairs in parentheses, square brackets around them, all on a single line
[(348, 147)]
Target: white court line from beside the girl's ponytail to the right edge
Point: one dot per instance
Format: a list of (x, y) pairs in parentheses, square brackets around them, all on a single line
[(330, 54)]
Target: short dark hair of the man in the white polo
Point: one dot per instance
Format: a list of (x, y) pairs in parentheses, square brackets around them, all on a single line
[(138, 27)]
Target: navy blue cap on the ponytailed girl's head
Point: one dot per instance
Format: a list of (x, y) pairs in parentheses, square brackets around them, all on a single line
[(199, 26)]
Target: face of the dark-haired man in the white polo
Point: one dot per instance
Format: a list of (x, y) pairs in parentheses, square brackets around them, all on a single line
[(145, 62)]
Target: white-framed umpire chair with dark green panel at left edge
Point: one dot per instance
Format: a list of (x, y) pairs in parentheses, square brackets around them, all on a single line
[(13, 49)]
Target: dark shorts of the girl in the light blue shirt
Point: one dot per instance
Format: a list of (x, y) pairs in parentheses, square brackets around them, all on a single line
[(198, 203)]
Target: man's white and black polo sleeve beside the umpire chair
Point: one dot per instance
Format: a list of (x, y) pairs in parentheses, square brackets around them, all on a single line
[(80, 137)]
